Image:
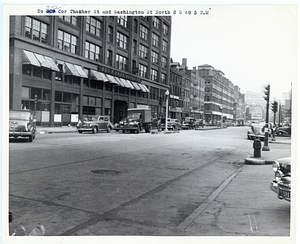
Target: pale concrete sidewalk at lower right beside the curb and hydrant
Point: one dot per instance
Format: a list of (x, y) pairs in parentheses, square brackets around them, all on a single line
[(244, 205)]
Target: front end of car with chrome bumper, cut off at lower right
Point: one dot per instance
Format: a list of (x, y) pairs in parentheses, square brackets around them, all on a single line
[(281, 185)]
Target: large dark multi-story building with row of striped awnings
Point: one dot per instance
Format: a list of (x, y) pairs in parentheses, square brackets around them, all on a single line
[(66, 67)]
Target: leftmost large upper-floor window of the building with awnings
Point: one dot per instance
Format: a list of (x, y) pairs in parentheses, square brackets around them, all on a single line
[(36, 30)]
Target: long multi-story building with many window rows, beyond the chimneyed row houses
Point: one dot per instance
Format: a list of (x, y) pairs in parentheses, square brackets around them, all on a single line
[(219, 94)]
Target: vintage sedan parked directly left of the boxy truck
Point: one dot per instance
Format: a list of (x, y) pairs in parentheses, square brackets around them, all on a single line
[(95, 123)]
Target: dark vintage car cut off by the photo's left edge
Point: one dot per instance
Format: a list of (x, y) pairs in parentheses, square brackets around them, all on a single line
[(22, 124)]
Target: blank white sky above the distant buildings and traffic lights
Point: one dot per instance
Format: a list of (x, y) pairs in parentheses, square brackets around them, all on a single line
[(252, 44)]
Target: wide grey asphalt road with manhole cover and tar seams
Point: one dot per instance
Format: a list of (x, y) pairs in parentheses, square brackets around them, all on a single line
[(120, 184)]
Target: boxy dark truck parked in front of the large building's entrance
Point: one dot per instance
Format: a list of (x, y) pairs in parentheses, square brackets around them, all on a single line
[(137, 119)]
